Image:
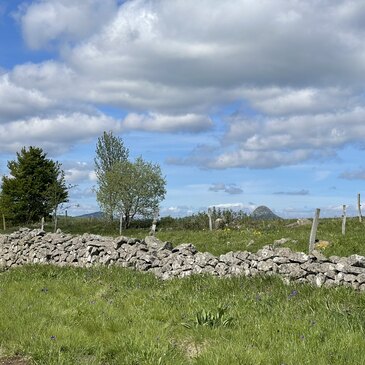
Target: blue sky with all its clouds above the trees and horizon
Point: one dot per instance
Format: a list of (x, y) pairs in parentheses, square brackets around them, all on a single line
[(242, 103)]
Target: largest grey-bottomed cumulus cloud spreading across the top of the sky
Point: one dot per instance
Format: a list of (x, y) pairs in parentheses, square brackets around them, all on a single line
[(146, 55)]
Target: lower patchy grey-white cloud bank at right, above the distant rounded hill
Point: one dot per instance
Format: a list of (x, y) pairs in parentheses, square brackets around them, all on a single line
[(270, 142)]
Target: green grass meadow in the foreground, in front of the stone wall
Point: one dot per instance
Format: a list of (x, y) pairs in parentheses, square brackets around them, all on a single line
[(116, 316)]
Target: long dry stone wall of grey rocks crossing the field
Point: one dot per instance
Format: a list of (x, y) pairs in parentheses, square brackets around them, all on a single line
[(165, 261)]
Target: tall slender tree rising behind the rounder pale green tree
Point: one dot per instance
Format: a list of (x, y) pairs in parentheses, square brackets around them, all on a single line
[(110, 150)]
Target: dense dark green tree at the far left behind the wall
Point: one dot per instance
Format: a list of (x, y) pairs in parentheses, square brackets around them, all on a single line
[(35, 187)]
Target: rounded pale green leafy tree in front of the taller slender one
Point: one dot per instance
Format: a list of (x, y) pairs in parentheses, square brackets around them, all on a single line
[(138, 187)]
